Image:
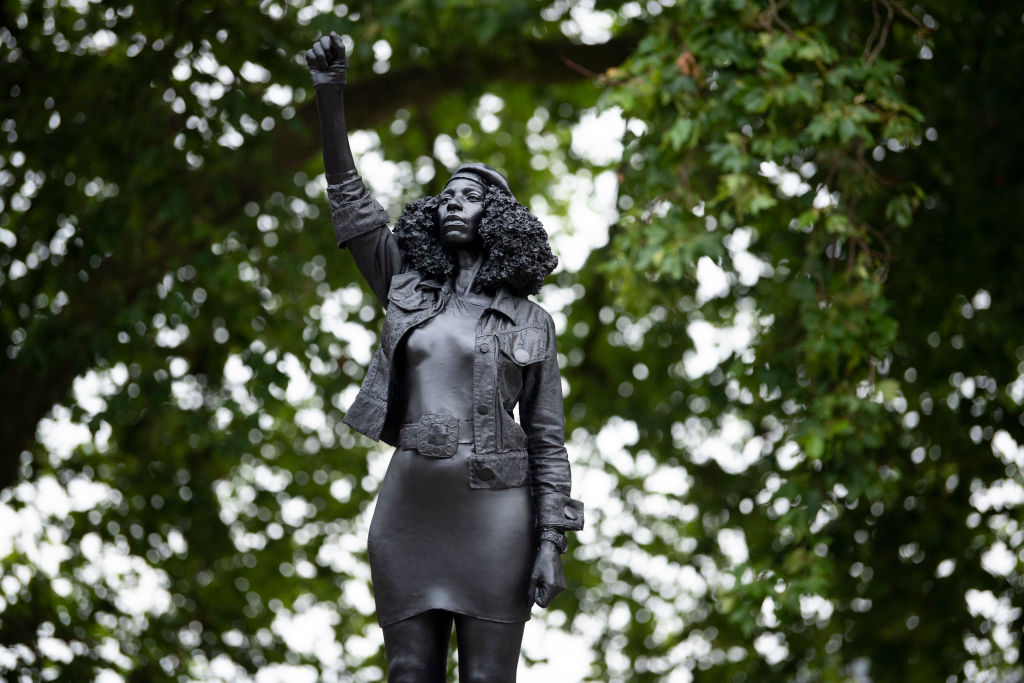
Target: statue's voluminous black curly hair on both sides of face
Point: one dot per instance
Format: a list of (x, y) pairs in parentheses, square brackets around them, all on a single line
[(517, 253)]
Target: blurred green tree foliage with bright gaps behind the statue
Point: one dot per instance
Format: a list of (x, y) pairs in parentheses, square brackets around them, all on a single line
[(823, 193)]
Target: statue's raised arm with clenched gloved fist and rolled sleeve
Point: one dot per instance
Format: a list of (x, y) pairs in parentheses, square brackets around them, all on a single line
[(360, 223)]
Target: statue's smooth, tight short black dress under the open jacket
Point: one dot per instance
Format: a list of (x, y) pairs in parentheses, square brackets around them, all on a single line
[(435, 542)]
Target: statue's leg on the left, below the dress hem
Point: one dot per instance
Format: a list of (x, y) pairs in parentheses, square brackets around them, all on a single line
[(417, 649)]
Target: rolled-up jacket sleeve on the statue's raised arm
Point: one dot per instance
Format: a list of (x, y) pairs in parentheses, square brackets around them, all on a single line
[(361, 226)]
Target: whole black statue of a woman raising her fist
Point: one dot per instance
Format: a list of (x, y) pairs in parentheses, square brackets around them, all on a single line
[(471, 521)]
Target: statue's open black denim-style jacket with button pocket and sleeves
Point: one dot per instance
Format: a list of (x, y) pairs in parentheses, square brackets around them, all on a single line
[(515, 362)]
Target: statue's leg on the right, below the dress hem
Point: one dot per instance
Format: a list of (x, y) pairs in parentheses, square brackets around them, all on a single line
[(489, 652)]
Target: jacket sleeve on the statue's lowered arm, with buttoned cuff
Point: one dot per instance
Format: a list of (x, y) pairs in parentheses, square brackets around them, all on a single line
[(543, 418)]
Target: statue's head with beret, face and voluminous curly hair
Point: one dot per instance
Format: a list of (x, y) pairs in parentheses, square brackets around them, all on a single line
[(477, 209)]
